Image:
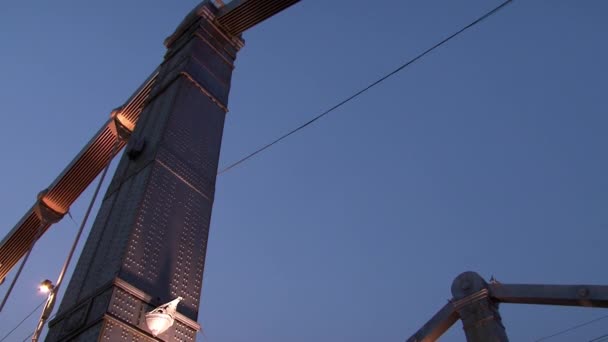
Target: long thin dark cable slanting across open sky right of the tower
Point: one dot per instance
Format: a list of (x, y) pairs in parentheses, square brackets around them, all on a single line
[(370, 86)]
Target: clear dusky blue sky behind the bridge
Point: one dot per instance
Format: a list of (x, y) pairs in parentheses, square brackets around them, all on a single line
[(487, 155)]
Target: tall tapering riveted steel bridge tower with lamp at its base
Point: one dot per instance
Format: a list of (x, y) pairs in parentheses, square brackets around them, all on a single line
[(148, 243)]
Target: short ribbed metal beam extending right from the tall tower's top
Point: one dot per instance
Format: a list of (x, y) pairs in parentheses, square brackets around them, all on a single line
[(240, 15)]
